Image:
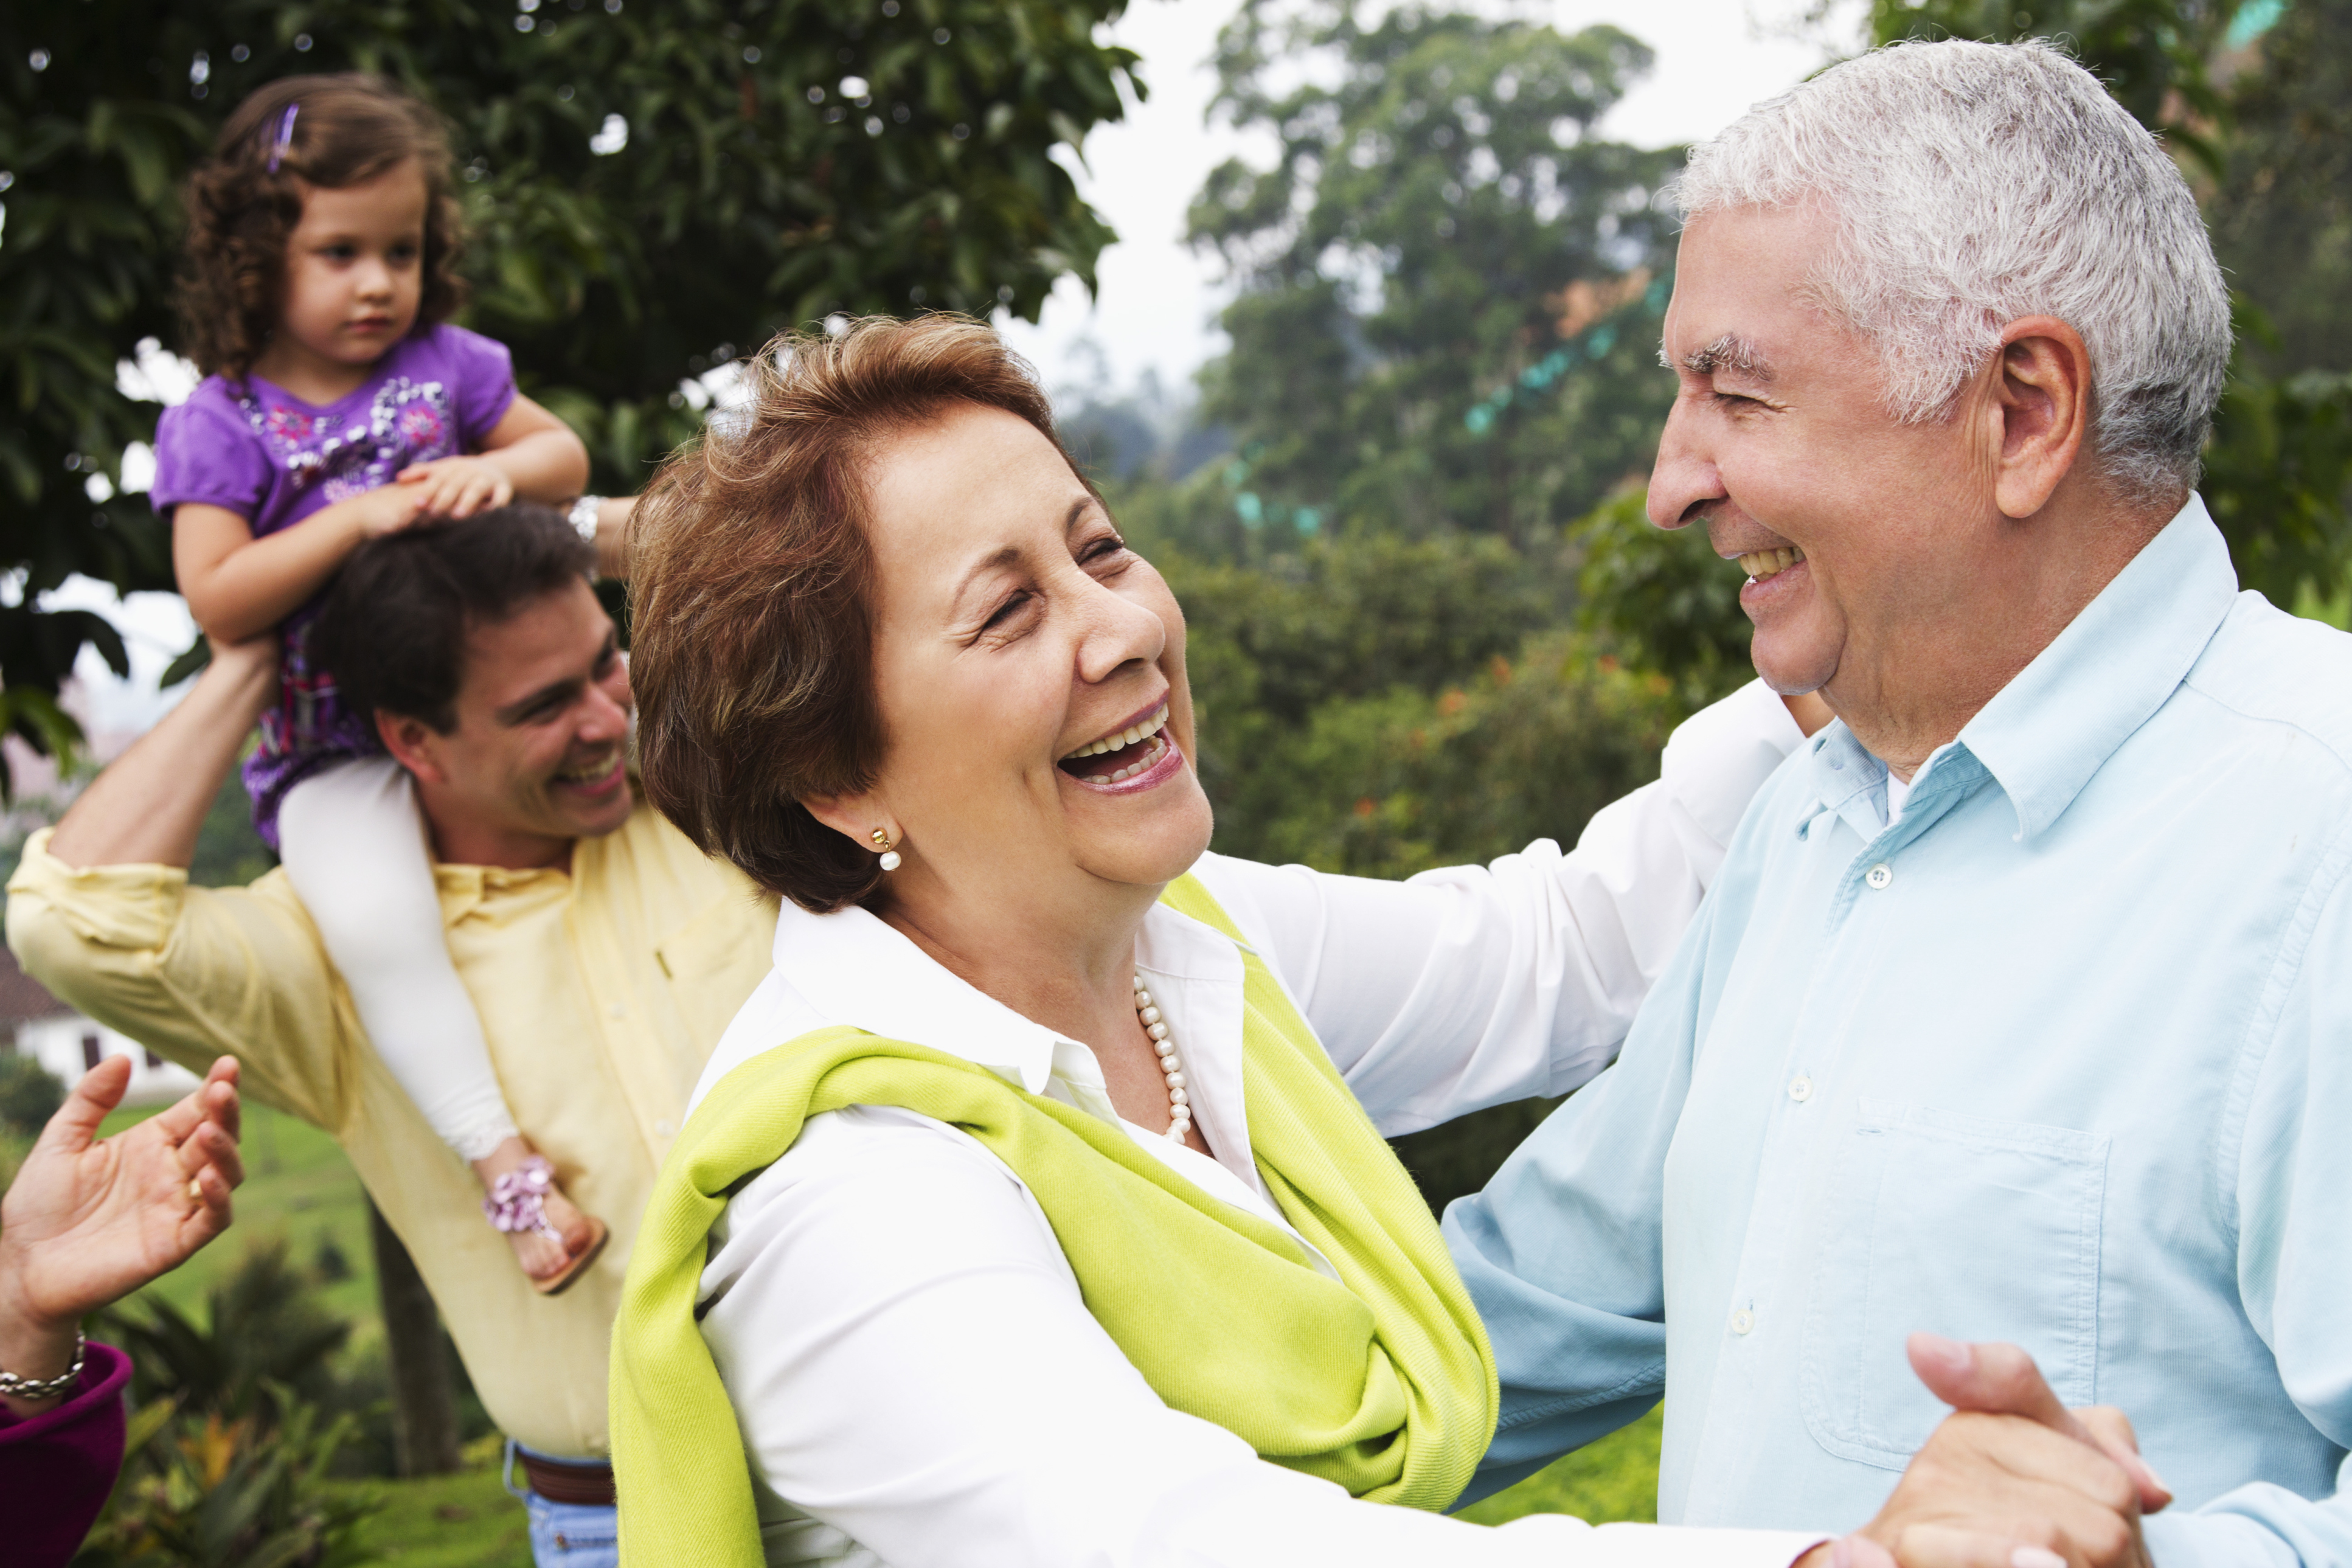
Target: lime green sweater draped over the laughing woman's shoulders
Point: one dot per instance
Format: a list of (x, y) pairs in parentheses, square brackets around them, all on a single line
[(1379, 1381)]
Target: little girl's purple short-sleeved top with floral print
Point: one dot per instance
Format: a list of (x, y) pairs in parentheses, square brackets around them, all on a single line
[(274, 460)]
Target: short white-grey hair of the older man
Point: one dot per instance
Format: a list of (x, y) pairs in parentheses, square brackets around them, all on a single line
[(1977, 185)]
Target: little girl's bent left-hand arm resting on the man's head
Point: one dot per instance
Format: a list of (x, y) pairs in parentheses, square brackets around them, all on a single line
[(241, 587)]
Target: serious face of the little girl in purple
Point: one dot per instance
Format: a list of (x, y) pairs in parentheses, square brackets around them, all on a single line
[(354, 269)]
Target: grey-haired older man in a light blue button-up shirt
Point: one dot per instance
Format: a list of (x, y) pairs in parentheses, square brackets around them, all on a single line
[(2014, 1012)]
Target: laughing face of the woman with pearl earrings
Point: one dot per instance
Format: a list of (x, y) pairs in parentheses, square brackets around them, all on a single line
[(1029, 671)]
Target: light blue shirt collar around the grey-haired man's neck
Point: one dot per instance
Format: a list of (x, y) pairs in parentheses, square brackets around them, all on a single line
[(2057, 723)]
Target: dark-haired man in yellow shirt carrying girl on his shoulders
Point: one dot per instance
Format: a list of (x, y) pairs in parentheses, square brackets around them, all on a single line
[(603, 951)]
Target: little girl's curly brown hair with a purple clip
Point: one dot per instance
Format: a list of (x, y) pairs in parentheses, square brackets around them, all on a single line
[(241, 213)]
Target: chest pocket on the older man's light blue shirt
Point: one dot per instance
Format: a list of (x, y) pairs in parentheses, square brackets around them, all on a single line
[(1963, 1226)]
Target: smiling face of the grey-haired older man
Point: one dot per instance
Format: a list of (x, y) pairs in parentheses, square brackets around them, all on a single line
[(1859, 532)]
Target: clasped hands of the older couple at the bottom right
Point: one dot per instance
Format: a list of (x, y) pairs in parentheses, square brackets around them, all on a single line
[(2010, 1480)]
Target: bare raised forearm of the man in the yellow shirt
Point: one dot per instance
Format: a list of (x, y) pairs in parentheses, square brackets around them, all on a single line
[(152, 803)]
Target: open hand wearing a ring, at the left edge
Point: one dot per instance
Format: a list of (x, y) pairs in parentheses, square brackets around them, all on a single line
[(93, 1219)]
